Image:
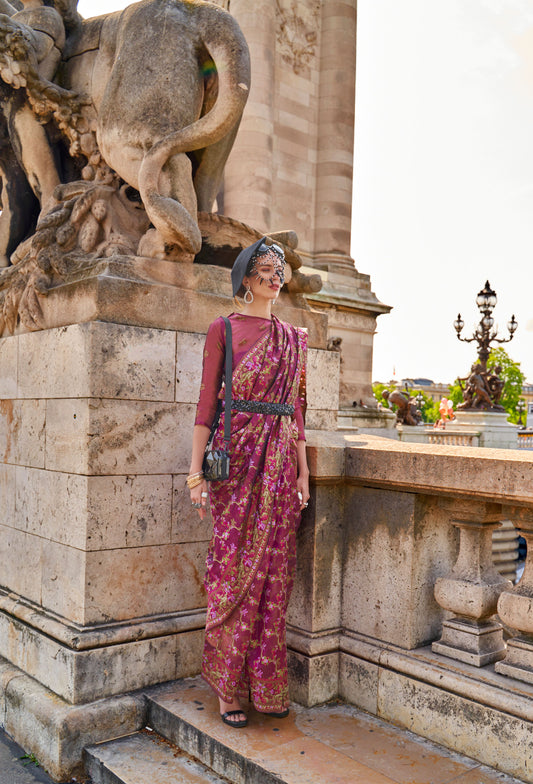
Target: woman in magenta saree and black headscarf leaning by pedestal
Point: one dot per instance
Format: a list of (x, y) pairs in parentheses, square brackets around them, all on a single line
[(251, 558)]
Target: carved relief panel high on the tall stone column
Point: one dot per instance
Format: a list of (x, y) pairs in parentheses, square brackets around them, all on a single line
[(298, 30)]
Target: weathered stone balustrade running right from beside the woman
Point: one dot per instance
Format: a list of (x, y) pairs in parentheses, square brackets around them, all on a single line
[(398, 607)]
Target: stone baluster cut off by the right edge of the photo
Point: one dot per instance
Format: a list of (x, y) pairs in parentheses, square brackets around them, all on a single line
[(515, 607)]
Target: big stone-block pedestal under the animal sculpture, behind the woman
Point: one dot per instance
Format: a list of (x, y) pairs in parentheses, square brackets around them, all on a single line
[(101, 555)]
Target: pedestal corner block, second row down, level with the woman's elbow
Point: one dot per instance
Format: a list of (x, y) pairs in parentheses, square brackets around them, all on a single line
[(118, 436)]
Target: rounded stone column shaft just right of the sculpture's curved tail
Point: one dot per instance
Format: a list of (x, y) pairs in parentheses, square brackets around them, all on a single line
[(248, 178)]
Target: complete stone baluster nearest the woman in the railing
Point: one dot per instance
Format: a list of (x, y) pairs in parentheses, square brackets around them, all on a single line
[(472, 589)]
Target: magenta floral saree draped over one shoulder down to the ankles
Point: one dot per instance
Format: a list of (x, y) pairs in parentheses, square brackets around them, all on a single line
[(252, 554)]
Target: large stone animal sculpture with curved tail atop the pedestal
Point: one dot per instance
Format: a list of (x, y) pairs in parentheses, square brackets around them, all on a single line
[(115, 134)]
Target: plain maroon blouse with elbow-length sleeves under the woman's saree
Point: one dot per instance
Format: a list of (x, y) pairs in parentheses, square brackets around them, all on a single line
[(246, 331)]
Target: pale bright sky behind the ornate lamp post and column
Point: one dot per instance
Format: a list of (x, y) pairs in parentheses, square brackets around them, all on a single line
[(443, 188)]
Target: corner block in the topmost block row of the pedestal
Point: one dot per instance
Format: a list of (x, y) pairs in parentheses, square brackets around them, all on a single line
[(97, 360)]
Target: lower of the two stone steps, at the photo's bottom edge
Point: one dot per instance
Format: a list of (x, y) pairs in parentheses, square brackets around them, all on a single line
[(144, 758)]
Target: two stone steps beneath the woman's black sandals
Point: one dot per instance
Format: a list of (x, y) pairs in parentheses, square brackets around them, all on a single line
[(333, 743)]
